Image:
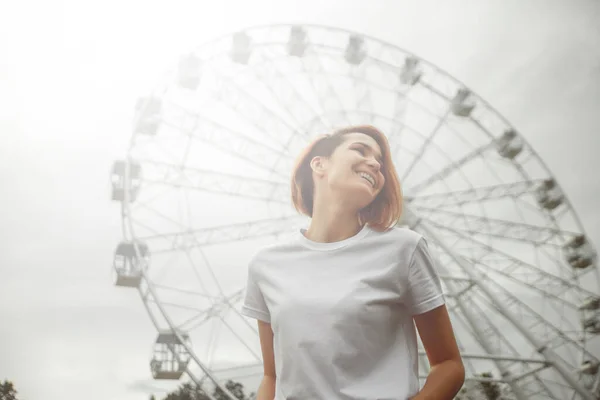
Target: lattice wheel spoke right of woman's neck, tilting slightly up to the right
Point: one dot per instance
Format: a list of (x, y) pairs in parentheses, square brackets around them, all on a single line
[(477, 194)]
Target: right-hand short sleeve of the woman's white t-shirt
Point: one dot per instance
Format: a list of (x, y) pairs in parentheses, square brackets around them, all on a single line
[(424, 286)]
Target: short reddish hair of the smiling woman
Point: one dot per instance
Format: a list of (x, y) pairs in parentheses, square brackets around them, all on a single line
[(383, 212)]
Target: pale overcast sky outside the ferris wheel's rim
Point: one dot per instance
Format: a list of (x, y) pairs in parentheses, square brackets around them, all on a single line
[(70, 72)]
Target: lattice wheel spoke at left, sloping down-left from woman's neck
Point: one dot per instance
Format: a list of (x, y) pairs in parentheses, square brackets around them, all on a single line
[(222, 234)]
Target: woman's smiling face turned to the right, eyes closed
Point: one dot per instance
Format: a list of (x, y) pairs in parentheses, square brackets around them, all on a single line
[(355, 168)]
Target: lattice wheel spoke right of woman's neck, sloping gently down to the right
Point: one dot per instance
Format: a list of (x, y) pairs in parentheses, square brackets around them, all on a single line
[(509, 230)]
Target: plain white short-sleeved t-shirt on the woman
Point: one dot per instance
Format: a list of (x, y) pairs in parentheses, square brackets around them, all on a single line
[(341, 313)]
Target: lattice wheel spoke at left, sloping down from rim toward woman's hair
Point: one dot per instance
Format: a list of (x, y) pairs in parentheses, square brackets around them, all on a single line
[(215, 182)]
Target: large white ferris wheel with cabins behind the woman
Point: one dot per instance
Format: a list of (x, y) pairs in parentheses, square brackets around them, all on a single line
[(206, 182)]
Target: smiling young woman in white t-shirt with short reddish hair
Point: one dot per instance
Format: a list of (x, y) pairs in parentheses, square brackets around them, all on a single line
[(337, 305)]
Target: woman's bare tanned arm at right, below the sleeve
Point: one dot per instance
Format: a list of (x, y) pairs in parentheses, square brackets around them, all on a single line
[(447, 373)]
